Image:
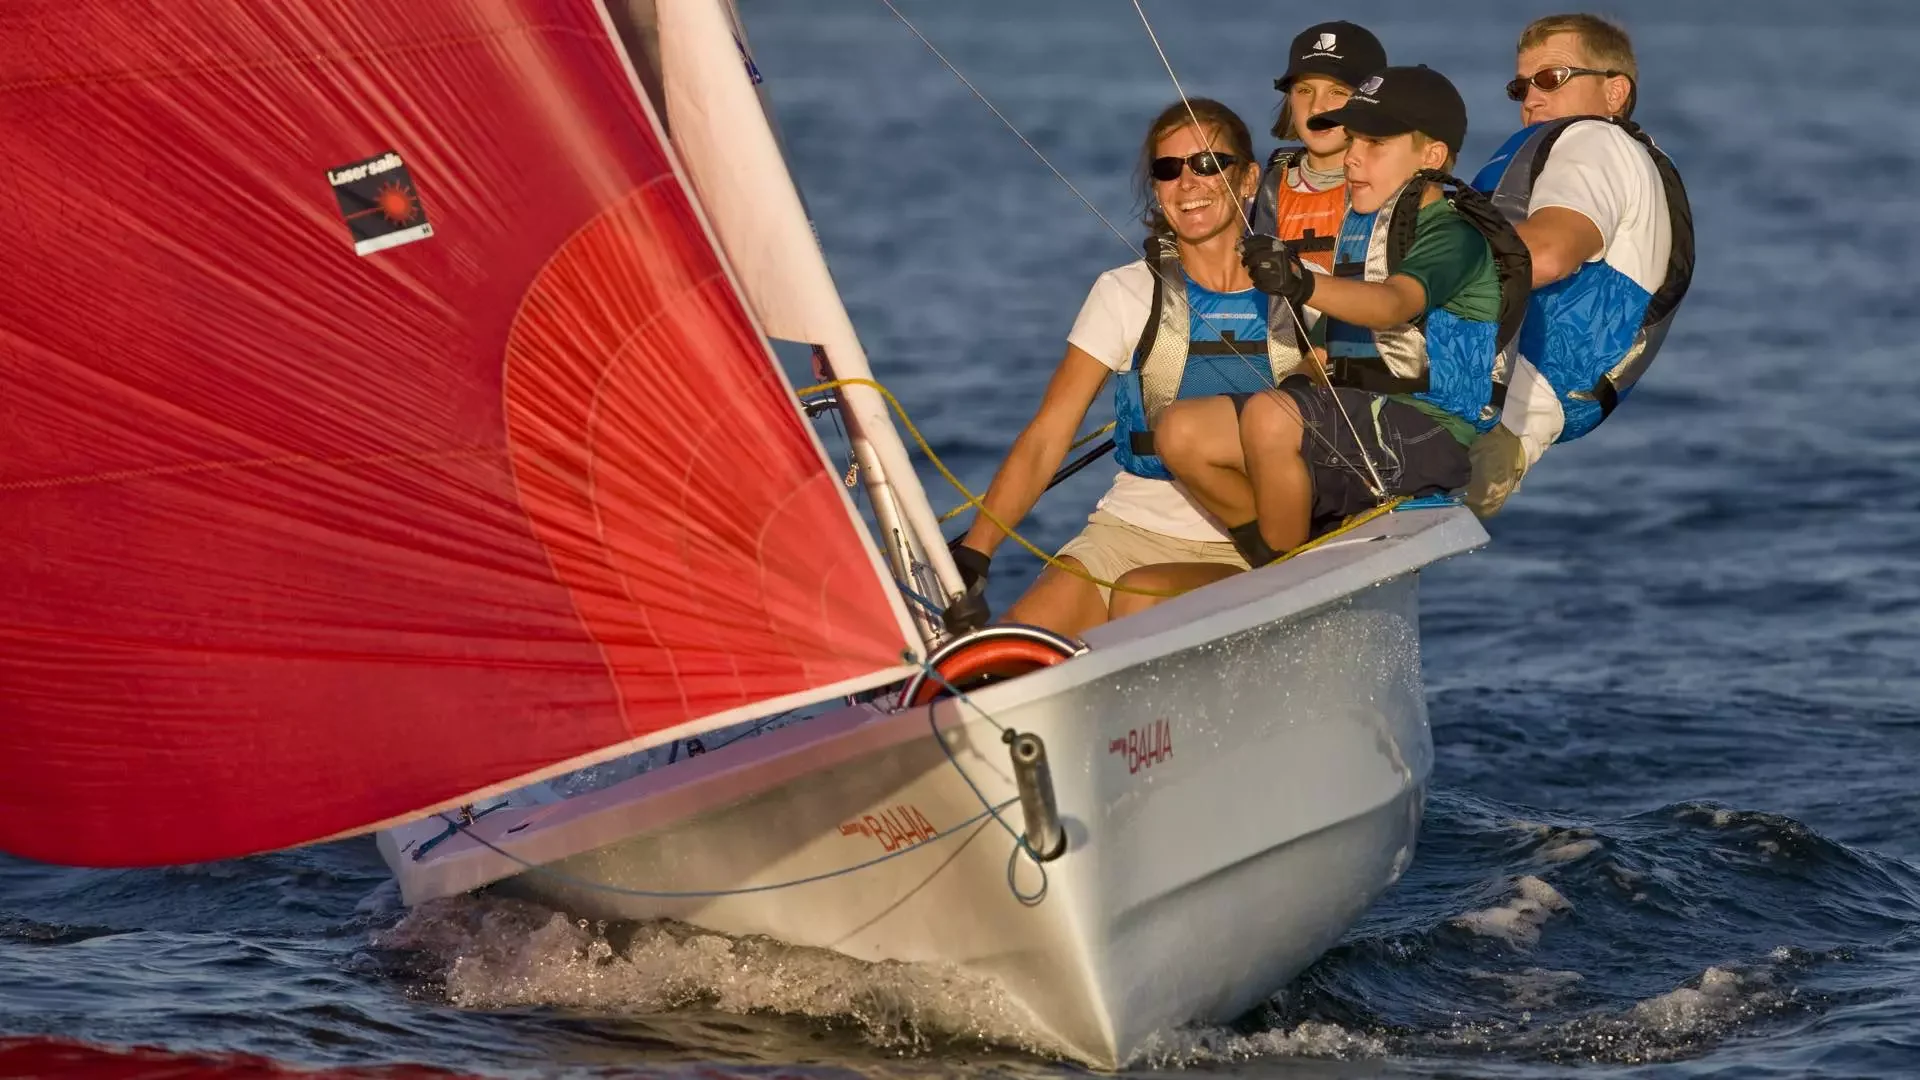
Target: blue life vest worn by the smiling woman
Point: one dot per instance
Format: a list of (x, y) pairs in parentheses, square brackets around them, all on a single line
[(1197, 345)]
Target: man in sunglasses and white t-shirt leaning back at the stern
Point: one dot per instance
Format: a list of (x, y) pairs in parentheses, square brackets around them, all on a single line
[(1612, 239)]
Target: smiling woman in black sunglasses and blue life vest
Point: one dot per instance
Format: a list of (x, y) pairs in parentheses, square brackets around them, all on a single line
[(1184, 322)]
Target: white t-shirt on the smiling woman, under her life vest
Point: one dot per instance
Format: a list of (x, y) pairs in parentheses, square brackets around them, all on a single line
[(1107, 330)]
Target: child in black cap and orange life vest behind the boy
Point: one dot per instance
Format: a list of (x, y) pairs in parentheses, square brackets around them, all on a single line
[(1303, 195)]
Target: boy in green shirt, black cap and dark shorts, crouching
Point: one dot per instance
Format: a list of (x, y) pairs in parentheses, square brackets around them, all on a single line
[(1410, 326)]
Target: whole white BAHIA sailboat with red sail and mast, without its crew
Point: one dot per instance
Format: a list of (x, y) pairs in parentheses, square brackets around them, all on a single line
[(393, 439)]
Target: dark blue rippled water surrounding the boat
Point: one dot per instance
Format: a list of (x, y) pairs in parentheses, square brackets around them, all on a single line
[(1675, 812)]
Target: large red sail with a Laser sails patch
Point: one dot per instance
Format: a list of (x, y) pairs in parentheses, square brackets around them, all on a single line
[(379, 426)]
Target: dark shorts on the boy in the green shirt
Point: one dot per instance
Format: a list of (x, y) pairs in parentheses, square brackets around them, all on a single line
[(1410, 453)]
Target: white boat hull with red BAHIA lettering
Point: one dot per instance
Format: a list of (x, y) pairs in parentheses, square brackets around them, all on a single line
[(1239, 772)]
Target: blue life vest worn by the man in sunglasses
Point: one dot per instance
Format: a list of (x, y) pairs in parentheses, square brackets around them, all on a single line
[(1593, 335)]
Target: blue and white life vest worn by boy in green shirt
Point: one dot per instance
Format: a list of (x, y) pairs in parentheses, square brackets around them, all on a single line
[(1441, 358)]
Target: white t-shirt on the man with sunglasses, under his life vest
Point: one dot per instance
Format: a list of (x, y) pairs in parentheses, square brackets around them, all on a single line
[(1606, 176)]
